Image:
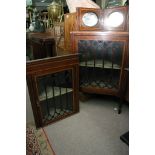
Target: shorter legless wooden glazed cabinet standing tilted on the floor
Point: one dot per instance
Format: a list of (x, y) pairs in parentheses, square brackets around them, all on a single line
[(53, 85)]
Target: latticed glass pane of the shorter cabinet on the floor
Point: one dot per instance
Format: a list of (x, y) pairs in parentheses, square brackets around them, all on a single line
[(55, 95)]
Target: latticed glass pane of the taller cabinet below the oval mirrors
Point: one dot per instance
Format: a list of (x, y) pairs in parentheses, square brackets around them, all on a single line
[(100, 63)]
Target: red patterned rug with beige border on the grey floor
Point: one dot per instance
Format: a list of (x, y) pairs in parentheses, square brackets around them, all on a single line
[(37, 142)]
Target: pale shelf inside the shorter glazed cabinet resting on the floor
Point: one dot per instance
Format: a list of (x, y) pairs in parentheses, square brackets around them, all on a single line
[(57, 92)]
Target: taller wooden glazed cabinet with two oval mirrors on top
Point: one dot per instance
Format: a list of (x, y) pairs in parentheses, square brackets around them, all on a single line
[(102, 44)]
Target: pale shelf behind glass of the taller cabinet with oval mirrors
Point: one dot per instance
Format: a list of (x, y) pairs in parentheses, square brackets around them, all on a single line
[(99, 64)]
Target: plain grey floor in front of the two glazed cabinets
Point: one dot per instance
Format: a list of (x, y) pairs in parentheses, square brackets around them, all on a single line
[(95, 130)]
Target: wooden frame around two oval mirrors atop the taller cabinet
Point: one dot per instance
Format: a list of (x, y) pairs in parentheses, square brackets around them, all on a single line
[(102, 16)]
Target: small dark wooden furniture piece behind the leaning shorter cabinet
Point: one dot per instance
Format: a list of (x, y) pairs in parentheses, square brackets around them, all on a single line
[(42, 45)]
